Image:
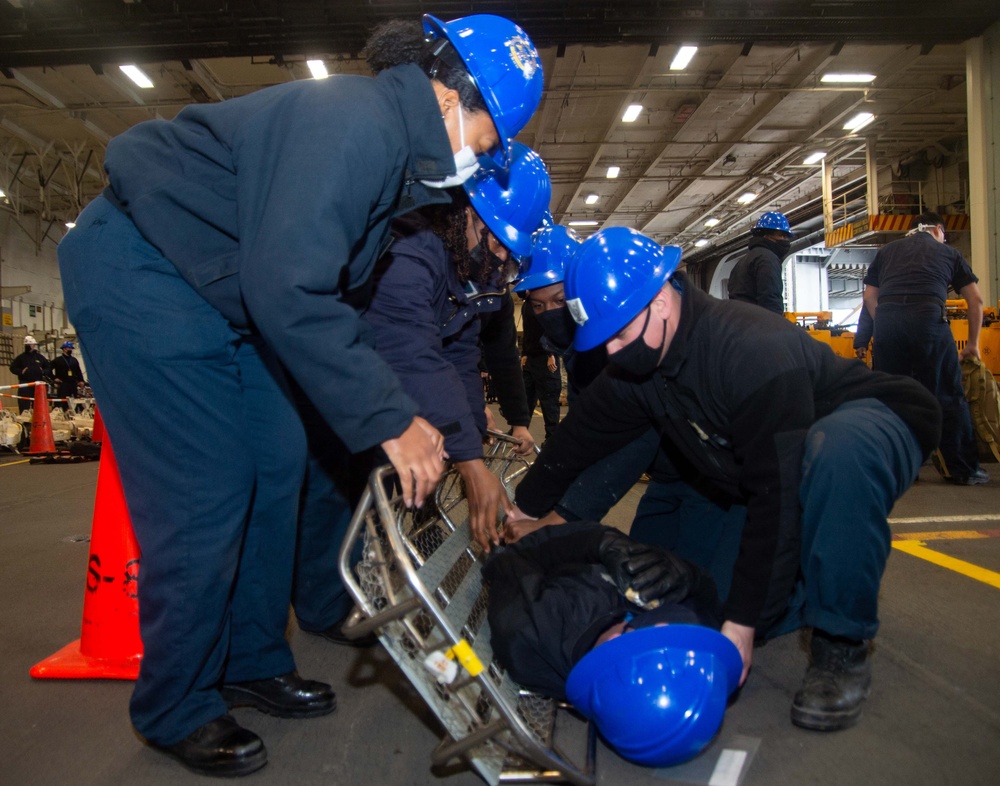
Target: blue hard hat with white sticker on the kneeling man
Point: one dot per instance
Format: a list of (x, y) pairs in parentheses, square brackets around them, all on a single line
[(612, 277)]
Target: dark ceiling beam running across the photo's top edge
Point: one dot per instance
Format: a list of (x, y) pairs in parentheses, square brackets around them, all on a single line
[(109, 31)]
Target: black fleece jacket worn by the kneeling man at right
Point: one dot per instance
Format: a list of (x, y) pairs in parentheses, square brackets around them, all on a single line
[(733, 399)]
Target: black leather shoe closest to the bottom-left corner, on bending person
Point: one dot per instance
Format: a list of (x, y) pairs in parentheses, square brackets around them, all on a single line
[(221, 747)]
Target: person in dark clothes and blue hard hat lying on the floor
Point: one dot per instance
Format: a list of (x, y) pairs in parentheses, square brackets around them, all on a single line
[(577, 612)]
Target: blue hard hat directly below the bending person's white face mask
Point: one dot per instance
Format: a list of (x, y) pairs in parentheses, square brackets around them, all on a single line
[(512, 202)]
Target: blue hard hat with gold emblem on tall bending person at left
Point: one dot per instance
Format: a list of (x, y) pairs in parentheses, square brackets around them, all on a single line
[(502, 61)]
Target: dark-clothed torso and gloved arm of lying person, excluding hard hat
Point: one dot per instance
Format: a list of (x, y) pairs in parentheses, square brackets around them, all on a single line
[(560, 591)]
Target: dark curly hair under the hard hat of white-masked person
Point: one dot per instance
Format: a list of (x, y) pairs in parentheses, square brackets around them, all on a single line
[(401, 42)]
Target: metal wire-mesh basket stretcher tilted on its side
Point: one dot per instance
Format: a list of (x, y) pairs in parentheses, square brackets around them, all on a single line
[(418, 587)]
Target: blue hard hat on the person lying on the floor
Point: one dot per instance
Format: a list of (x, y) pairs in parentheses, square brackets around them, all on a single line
[(657, 695)]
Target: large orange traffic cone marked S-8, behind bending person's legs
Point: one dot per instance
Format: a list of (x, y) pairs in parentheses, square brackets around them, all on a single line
[(109, 646)]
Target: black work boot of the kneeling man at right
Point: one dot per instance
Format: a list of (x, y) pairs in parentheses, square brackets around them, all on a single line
[(836, 684)]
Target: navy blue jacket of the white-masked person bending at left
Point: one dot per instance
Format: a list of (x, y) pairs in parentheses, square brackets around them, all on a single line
[(275, 207)]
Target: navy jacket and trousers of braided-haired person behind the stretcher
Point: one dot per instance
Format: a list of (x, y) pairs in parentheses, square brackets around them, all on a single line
[(426, 326)]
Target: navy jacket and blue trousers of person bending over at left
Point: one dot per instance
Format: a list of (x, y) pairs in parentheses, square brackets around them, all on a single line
[(234, 238)]
